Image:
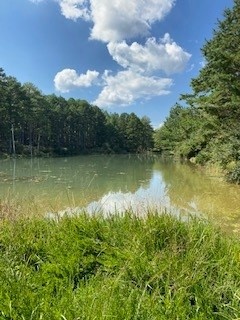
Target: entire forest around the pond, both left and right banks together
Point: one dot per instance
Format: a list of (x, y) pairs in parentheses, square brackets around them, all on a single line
[(203, 127)]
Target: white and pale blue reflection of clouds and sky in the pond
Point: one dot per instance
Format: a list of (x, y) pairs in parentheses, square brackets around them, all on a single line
[(149, 198)]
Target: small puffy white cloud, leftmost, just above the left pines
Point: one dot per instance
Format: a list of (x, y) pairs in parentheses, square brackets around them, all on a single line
[(68, 79)]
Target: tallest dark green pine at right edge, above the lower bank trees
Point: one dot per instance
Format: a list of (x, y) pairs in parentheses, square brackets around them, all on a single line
[(217, 88)]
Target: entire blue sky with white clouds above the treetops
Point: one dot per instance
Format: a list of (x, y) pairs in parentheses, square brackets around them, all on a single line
[(121, 55)]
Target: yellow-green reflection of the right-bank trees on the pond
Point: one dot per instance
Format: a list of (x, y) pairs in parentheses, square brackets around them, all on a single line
[(190, 187)]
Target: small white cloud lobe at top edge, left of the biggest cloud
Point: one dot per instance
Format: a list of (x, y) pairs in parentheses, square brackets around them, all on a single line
[(74, 9)]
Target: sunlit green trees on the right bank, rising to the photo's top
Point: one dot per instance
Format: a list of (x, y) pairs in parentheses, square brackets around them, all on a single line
[(205, 125)]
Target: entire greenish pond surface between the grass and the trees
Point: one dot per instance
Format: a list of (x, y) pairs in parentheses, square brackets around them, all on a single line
[(111, 183)]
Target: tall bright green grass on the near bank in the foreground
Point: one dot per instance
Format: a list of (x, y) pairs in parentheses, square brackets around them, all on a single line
[(117, 268)]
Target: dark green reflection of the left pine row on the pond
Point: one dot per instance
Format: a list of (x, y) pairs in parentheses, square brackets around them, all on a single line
[(77, 181)]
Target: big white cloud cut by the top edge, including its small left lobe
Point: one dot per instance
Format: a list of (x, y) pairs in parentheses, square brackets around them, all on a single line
[(117, 20)]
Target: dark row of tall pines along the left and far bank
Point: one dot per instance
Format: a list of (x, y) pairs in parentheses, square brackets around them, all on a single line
[(32, 123)]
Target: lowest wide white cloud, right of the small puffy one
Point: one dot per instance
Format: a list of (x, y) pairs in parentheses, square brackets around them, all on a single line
[(128, 86)]
